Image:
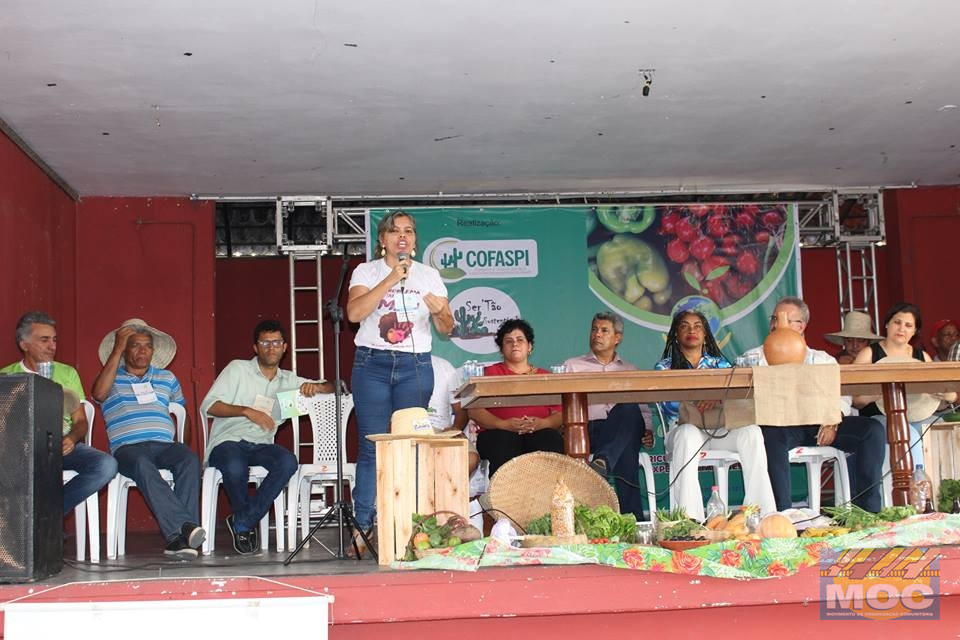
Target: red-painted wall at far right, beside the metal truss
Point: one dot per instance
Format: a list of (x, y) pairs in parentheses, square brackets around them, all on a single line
[(923, 227)]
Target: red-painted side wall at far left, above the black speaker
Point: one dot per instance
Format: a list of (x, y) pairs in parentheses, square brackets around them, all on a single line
[(37, 252)]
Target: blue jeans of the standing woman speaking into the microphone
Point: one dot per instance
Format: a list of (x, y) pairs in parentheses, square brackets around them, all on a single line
[(383, 382)]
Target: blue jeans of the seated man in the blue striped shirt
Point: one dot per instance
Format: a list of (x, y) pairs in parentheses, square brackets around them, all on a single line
[(142, 461)]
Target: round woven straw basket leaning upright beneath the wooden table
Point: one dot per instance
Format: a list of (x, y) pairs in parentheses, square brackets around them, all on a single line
[(522, 488)]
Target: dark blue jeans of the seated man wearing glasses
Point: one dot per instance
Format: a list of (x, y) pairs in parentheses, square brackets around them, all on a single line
[(234, 459)]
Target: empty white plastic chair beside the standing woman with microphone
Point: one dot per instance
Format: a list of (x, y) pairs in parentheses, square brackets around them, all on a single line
[(323, 469)]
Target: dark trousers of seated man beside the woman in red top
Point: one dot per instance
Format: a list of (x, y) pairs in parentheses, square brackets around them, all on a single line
[(617, 440)]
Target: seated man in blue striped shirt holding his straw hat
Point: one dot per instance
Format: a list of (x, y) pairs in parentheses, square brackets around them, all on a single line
[(135, 393)]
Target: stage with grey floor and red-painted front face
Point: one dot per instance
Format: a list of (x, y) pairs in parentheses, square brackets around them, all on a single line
[(536, 601)]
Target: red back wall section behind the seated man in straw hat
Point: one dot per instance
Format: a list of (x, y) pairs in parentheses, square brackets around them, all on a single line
[(148, 258)]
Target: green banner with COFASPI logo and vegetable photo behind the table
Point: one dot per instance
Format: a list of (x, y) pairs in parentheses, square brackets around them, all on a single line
[(557, 266)]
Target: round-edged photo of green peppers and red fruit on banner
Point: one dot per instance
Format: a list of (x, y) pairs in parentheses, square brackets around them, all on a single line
[(648, 262)]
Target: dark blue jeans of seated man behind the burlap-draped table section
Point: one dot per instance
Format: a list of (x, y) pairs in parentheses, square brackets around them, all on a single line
[(864, 437)]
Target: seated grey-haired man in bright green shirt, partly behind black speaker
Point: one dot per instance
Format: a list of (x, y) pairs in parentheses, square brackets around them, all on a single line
[(37, 339)]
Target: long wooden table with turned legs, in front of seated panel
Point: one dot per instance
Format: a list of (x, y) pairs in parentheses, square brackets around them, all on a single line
[(576, 391)]
